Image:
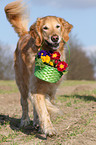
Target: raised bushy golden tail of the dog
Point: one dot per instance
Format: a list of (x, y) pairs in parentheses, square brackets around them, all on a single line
[(17, 15)]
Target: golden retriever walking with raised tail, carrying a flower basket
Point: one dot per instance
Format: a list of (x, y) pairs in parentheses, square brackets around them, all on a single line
[(48, 30)]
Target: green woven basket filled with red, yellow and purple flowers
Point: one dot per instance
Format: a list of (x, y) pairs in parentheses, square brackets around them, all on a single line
[(49, 67)]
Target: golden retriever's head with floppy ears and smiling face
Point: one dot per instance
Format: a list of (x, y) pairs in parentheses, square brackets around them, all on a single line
[(51, 30)]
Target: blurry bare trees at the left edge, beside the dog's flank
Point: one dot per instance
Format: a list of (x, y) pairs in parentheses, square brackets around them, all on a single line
[(6, 63)]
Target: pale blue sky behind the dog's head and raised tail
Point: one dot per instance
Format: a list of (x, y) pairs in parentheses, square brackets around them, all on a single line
[(80, 13)]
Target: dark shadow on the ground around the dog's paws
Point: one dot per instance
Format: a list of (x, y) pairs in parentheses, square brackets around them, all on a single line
[(15, 123)]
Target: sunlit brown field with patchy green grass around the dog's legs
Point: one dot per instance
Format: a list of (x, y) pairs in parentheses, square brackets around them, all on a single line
[(77, 125)]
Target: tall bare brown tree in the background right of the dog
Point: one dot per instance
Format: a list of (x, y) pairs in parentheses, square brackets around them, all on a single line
[(80, 66)]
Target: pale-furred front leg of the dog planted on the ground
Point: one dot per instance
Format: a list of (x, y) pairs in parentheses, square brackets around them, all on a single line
[(44, 118)]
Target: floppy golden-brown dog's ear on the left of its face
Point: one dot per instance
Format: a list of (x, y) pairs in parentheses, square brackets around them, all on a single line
[(36, 32)]
